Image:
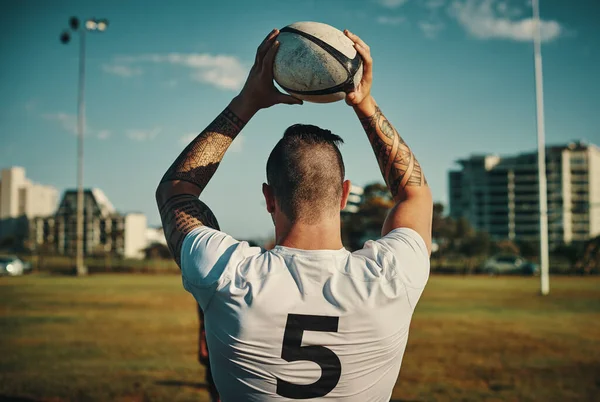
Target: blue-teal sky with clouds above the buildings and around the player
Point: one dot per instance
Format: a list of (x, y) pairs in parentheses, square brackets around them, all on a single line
[(454, 76)]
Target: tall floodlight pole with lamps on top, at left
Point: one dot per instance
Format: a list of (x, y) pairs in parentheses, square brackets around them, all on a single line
[(65, 37)]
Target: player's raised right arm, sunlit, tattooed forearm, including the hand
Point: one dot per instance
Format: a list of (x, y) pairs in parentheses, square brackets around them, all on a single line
[(399, 166)]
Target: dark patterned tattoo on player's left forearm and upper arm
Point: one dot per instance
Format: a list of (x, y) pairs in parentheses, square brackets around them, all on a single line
[(181, 213)]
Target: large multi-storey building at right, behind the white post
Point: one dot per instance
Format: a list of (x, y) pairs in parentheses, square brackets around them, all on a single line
[(500, 195)]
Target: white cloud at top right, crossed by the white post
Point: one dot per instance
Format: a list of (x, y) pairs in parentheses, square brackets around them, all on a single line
[(490, 19)]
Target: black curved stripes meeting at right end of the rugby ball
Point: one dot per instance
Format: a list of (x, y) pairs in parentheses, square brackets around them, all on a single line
[(350, 65)]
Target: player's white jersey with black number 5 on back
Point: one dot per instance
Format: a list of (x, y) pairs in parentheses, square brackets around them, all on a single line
[(289, 324)]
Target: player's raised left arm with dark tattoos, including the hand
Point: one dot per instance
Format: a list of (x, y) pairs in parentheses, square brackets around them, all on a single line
[(177, 194)]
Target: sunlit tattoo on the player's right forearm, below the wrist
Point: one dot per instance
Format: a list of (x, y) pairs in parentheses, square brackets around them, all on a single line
[(398, 164)]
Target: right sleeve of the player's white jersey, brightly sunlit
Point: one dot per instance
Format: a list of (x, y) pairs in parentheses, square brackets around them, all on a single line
[(402, 253)]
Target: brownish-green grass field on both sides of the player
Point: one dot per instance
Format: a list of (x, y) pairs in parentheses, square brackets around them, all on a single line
[(133, 338)]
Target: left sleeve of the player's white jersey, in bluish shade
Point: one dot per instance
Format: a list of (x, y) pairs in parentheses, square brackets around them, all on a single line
[(206, 254)]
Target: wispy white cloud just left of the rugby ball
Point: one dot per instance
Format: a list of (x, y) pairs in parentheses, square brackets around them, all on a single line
[(222, 71)]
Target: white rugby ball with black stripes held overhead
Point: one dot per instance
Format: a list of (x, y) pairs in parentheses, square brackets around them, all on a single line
[(316, 62)]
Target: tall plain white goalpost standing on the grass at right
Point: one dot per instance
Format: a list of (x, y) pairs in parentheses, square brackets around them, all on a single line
[(543, 206)]
